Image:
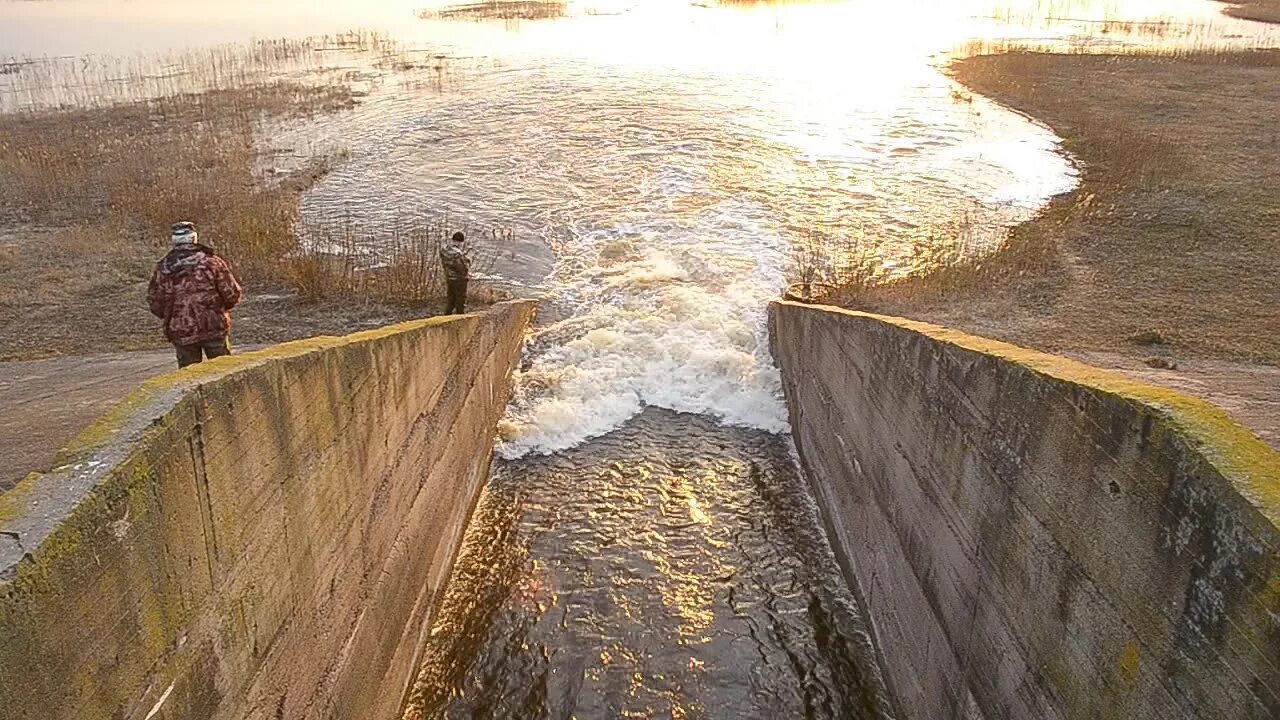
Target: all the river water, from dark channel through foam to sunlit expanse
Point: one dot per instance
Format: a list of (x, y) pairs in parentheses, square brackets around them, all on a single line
[(647, 548)]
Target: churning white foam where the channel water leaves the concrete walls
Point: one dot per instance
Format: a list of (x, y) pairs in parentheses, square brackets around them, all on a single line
[(669, 317)]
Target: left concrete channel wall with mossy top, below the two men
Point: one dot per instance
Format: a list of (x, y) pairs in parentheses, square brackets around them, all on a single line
[(263, 536)]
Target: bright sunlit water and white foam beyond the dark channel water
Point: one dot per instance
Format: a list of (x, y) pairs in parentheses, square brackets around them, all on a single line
[(660, 160)]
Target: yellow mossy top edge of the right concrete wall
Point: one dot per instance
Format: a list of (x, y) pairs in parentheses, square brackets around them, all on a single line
[(1241, 457)]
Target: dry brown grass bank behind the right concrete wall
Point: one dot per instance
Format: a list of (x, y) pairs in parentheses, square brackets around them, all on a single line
[(1174, 230)]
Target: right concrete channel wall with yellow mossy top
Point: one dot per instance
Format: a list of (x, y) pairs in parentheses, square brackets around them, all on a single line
[(1035, 539)]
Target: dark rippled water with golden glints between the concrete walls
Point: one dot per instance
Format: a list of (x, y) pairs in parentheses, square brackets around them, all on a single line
[(673, 568)]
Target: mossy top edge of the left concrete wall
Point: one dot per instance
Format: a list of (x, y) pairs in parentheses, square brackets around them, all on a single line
[(33, 511)]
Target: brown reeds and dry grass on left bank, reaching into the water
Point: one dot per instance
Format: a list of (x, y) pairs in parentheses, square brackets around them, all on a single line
[(122, 148)]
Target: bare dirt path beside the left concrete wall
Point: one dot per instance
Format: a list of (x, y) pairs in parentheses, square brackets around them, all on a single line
[(45, 403)]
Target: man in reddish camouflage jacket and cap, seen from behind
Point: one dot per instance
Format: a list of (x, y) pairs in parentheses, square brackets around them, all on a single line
[(194, 290)]
